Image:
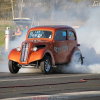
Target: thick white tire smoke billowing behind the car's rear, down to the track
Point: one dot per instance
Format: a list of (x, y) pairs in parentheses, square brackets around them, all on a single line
[(89, 38)]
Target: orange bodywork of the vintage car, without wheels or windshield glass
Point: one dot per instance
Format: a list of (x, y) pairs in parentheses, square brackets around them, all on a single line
[(60, 51)]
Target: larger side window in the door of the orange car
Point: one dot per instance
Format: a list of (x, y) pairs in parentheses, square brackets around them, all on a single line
[(60, 36)]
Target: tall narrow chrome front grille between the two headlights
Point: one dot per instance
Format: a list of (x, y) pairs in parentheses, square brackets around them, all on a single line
[(24, 52)]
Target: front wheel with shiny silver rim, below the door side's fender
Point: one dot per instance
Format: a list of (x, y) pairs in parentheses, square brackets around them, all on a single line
[(46, 65)]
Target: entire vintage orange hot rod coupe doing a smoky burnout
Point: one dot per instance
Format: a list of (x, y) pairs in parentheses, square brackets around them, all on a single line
[(45, 47)]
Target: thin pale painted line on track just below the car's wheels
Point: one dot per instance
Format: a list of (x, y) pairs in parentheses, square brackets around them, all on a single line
[(44, 77)]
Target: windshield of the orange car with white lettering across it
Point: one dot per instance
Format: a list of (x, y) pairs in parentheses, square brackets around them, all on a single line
[(40, 34)]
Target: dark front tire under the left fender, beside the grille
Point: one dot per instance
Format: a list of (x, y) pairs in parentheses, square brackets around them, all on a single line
[(13, 67)]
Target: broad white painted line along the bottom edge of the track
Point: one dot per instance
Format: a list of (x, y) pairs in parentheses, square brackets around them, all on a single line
[(73, 95)]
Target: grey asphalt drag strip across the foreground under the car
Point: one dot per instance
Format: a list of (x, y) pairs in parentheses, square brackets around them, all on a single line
[(30, 86)]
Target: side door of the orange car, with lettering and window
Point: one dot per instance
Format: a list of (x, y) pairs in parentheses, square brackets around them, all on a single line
[(61, 47)]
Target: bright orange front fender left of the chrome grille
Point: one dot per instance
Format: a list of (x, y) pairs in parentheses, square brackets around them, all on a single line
[(14, 55)]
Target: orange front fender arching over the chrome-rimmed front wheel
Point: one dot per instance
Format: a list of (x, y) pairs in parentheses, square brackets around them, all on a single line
[(38, 55)]
